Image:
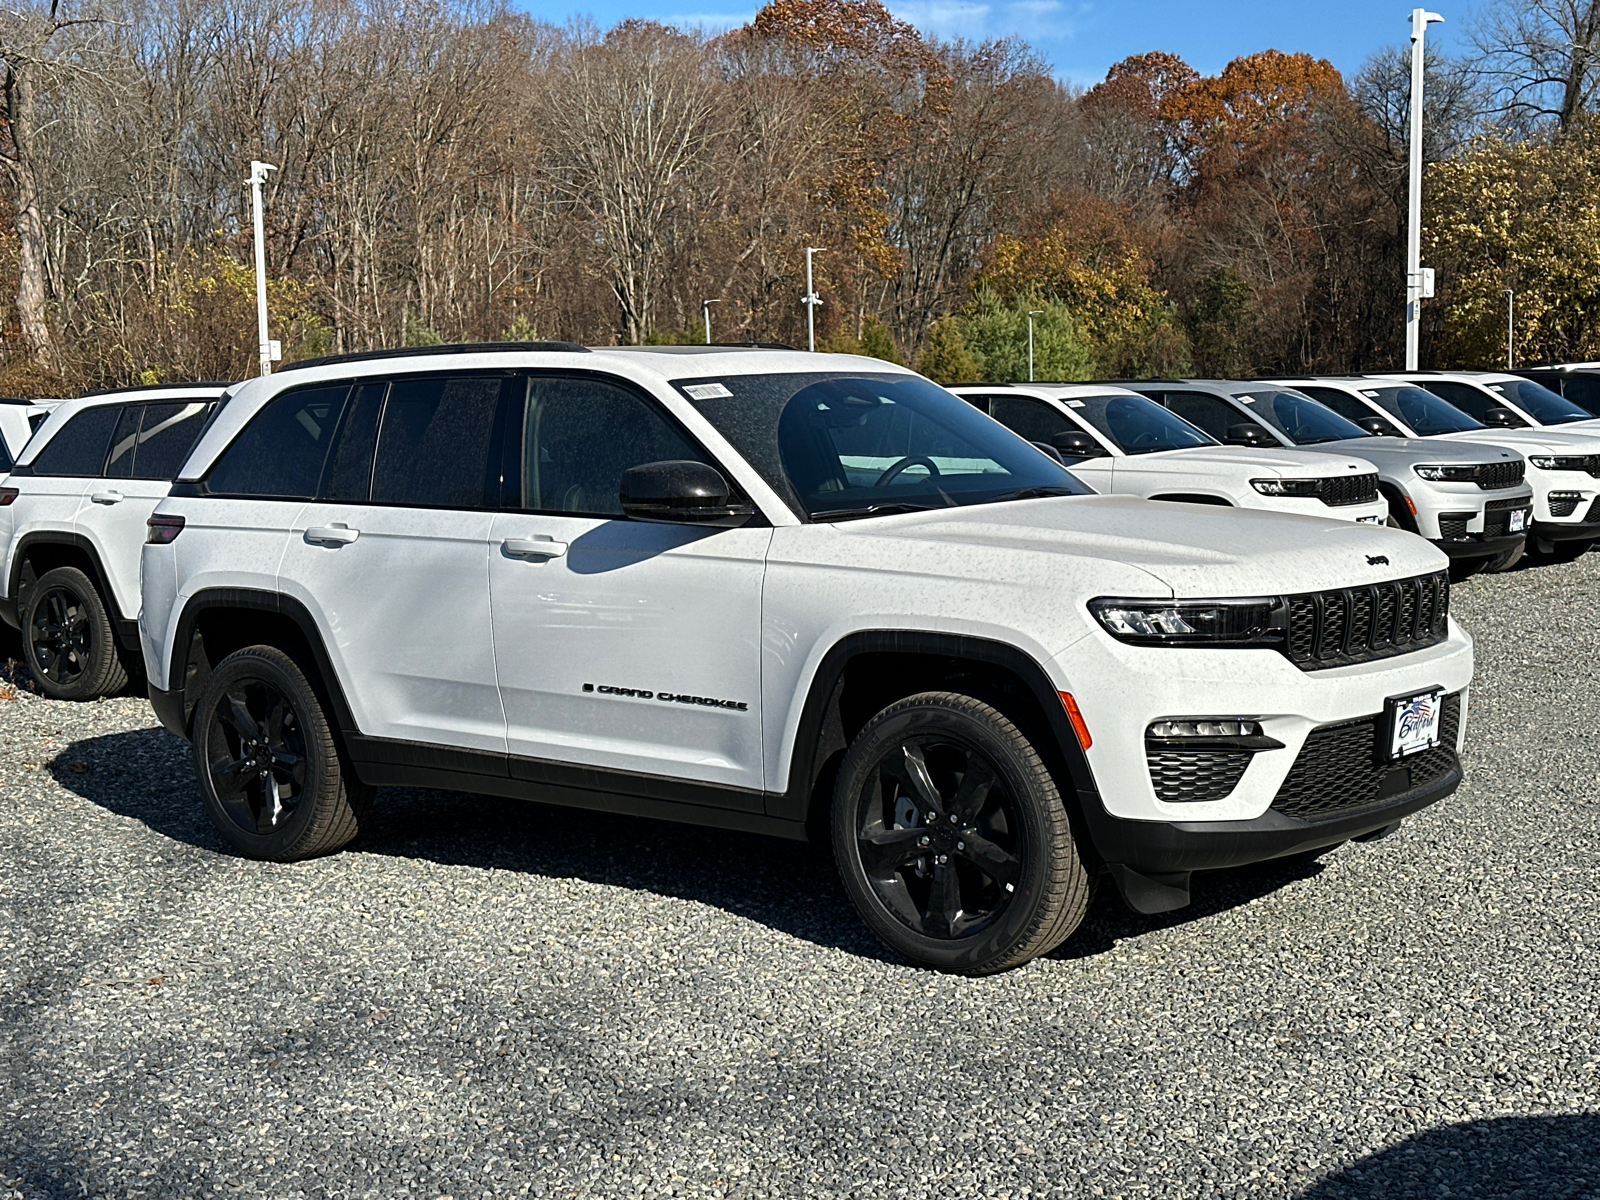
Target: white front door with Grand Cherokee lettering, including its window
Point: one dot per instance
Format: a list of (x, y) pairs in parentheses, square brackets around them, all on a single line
[(623, 646)]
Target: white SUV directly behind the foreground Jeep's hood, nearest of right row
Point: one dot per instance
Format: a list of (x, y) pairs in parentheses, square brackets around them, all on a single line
[(1122, 442)]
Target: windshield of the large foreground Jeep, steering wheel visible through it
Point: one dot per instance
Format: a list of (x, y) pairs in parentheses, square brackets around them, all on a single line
[(849, 446)]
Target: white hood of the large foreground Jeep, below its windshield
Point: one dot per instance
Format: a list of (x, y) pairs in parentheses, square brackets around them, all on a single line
[(1196, 551)]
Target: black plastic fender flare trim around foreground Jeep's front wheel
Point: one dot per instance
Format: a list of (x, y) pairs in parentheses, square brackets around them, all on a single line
[(818, 734)]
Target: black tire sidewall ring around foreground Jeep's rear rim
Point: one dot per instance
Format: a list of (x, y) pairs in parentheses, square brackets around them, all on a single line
[(276, 668)]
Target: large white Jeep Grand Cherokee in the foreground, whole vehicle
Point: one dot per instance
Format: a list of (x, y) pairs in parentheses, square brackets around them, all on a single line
[(782, 593)]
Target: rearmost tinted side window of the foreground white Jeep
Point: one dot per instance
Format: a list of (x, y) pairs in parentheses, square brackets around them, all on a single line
[(282, 450)]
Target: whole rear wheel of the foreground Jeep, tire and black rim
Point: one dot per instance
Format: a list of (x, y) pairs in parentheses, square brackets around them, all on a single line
[(260, 719)]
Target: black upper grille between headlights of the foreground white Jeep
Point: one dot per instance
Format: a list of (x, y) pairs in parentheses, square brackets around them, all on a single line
[(1359, 625)]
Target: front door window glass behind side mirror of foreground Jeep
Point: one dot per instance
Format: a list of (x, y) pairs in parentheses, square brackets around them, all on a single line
[(578, 439)]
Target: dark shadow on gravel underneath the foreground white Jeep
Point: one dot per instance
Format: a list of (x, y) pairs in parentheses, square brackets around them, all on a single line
[(786, 886)]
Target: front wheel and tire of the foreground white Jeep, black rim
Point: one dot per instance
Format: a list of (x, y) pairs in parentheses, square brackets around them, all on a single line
[(1010, 857)]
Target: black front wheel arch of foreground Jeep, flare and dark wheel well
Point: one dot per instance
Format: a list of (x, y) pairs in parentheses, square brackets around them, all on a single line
[(866, 671)]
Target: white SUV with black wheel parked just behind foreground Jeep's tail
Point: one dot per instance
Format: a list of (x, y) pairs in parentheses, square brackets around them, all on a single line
[(73, 522)]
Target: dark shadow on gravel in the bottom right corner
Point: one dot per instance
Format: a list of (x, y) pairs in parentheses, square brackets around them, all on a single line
[(1538, 1158)]
